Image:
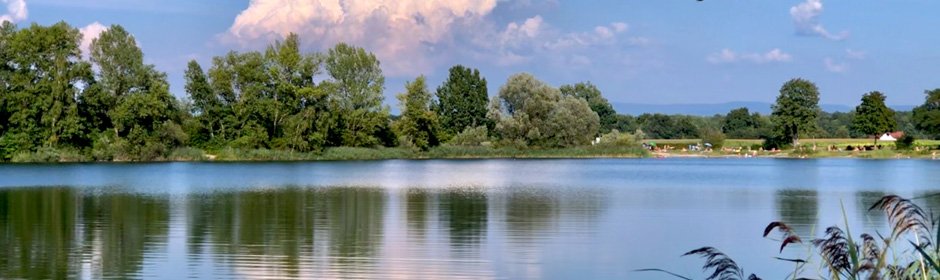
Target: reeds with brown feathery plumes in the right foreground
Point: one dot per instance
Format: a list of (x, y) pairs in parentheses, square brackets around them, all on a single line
[(910, 251)]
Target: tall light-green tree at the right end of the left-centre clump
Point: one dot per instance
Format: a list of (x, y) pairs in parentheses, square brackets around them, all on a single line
[(355, 87)]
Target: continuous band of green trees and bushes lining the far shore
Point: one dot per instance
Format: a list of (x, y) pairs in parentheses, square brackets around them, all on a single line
[(283, 103)]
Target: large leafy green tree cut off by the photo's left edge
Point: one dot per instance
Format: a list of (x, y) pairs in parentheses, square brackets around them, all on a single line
[(42, 77)]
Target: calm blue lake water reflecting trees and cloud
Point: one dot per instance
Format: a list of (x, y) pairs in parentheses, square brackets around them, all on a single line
[(432, 219)]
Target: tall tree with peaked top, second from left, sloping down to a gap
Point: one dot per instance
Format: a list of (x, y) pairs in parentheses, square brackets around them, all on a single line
[(144, 116)]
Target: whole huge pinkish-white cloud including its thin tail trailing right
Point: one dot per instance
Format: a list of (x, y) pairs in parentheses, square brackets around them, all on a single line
[(414, 36)]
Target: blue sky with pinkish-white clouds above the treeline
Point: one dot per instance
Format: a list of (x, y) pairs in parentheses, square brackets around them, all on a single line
[(636, 51)]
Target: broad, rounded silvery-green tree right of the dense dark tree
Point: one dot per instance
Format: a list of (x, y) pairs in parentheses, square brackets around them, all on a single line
[(531, 113)]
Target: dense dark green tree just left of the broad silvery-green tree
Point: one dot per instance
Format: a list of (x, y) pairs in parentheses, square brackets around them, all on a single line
[(462, 100)]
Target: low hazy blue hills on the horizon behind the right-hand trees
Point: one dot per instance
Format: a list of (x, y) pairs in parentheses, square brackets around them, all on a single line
[(719, 108)]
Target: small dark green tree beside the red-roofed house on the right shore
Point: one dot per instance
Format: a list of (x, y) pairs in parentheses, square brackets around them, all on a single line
[(873, 117)]
